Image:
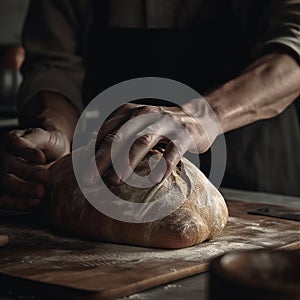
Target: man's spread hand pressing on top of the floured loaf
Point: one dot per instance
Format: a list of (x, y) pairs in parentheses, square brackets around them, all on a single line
[(192, 127)]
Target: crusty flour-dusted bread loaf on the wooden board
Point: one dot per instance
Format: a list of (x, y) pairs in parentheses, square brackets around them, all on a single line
[(202, 216)]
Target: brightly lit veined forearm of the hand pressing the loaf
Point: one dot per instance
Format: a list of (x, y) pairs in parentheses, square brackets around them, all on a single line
[(262, 91)]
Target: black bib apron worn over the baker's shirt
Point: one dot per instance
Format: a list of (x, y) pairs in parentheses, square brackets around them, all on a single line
[(262, 156)]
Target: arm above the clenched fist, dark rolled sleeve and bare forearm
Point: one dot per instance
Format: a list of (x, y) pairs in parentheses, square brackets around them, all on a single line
[(54, 62)]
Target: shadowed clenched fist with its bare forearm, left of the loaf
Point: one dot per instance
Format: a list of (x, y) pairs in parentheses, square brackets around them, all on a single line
[(25, 155)]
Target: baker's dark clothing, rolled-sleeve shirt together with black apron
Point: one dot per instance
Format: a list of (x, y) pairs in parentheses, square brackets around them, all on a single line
[(79, 48)]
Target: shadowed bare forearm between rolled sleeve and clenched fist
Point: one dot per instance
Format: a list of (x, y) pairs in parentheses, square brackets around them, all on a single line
[(50, 111)]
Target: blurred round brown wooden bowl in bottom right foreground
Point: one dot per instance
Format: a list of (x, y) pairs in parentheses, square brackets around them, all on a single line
[(256, 274)]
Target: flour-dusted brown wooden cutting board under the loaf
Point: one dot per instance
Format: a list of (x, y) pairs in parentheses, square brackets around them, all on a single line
[(37, 257)]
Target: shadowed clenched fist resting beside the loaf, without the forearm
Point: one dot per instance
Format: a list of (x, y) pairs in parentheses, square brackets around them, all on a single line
[(24, 159)]
